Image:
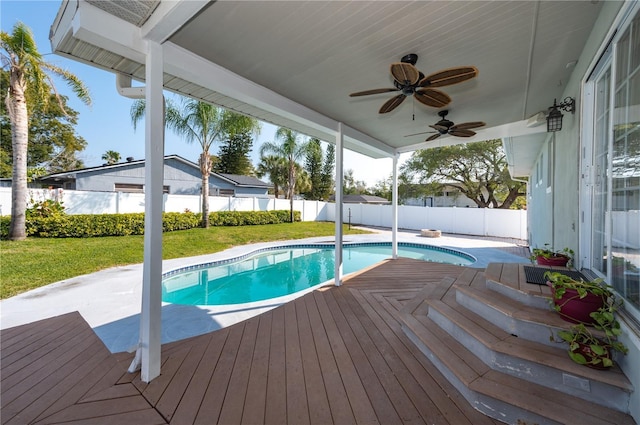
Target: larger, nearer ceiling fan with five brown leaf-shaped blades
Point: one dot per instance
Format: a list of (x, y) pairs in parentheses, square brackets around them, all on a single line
[(409, 81)]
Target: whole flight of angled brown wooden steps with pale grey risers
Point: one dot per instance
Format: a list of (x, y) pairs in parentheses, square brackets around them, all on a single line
[(497, 352)]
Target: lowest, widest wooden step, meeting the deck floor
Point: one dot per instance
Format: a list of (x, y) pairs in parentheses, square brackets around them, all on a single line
[(499, 395)]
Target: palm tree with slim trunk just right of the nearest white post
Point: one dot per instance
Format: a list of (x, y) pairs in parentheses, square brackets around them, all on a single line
[(204, 123)]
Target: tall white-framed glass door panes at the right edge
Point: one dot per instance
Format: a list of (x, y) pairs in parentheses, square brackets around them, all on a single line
[(614, 189)]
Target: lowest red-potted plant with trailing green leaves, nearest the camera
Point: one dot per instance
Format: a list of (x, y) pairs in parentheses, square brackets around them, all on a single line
[(593, 349)]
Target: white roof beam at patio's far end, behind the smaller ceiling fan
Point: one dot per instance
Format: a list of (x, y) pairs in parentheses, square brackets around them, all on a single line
[(514, 129)]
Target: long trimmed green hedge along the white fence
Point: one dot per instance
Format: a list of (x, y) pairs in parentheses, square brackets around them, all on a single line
[(60, 225)]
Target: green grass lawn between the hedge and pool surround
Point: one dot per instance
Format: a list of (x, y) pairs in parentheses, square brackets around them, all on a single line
[(37, 262)]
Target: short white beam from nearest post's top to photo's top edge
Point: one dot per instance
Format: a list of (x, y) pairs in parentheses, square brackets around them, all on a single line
[(169, 17)]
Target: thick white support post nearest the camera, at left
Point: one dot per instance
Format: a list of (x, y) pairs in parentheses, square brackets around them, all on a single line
[(151, 315)]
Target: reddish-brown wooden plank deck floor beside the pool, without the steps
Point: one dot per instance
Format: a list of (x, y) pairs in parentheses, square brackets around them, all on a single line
[(337, 355)]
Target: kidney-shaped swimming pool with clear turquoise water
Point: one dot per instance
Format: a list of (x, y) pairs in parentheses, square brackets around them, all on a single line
[(284, 270)]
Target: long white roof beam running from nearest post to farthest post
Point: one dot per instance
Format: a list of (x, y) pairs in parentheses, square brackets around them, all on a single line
[(191, 67)]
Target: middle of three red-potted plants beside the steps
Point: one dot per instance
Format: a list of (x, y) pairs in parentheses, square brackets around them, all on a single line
[(575, 300)]
